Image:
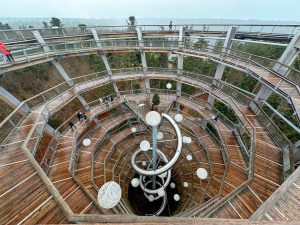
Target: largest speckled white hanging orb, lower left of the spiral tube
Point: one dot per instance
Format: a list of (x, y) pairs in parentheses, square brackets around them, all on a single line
[(109, 195)]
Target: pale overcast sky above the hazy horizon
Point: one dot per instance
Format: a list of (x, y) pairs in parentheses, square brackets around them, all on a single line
[(283, 10)]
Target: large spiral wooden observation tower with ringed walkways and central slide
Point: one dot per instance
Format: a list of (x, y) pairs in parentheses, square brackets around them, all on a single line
[(189, 124)]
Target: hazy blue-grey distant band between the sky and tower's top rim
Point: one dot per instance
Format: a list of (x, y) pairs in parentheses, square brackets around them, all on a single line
[(68, 22)]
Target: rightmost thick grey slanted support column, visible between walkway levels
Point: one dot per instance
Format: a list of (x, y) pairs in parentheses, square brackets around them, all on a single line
[(287, 58)]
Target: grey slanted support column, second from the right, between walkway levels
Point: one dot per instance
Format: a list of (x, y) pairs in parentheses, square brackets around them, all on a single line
[(220, 68)]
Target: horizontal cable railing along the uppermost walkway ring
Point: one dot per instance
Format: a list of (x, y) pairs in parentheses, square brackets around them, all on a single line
[(252, 30)]
